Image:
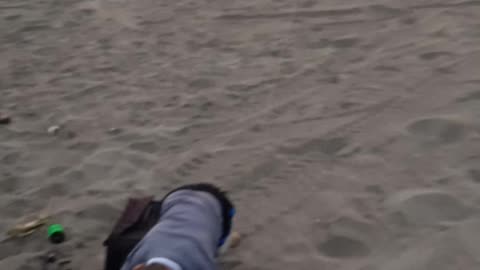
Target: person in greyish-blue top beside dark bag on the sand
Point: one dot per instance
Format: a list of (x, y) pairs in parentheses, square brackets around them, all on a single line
[(194, 223)]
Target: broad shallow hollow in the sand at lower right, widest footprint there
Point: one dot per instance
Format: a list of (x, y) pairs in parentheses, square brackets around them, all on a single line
[(425, 207)]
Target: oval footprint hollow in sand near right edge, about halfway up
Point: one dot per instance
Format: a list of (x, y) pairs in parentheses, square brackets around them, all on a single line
[(437, 130)]
